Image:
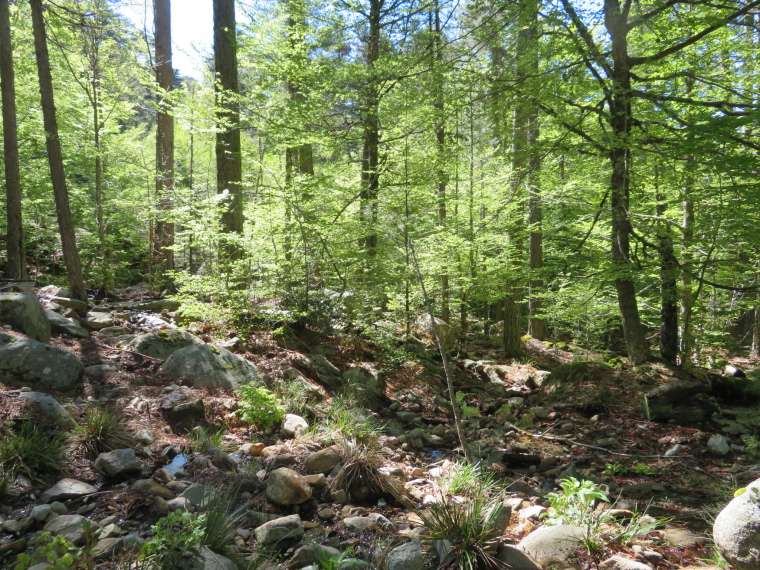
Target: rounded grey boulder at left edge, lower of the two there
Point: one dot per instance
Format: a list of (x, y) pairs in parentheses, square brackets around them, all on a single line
[(26, 362)]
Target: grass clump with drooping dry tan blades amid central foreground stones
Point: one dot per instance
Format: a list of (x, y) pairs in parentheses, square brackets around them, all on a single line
[(361, 473)]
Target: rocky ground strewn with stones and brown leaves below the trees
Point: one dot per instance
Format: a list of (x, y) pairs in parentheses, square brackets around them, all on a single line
[(561, 412)]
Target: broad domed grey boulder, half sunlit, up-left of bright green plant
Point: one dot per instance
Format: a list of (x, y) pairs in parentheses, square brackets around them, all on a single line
[(205, 365)]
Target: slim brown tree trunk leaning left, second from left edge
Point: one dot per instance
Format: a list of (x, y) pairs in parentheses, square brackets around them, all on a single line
[(57, 176)]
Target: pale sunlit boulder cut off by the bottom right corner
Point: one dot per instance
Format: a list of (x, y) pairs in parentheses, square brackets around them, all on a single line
[(736, 530)]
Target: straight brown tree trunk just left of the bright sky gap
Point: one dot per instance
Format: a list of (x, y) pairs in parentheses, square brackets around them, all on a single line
[(164, 233)]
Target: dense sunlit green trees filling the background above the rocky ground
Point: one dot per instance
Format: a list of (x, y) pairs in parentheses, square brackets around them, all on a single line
[(556, 167)]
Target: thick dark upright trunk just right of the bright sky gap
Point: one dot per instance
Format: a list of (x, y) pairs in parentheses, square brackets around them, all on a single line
[(228, 155)]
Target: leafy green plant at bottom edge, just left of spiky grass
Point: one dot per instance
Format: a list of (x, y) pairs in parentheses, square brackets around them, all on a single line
[(176, 541)]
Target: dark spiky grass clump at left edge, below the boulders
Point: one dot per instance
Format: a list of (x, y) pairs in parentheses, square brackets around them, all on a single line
[(32, 452)]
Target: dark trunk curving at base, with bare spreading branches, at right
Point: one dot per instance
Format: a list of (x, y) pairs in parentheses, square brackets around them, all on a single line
[(616, 22)]
